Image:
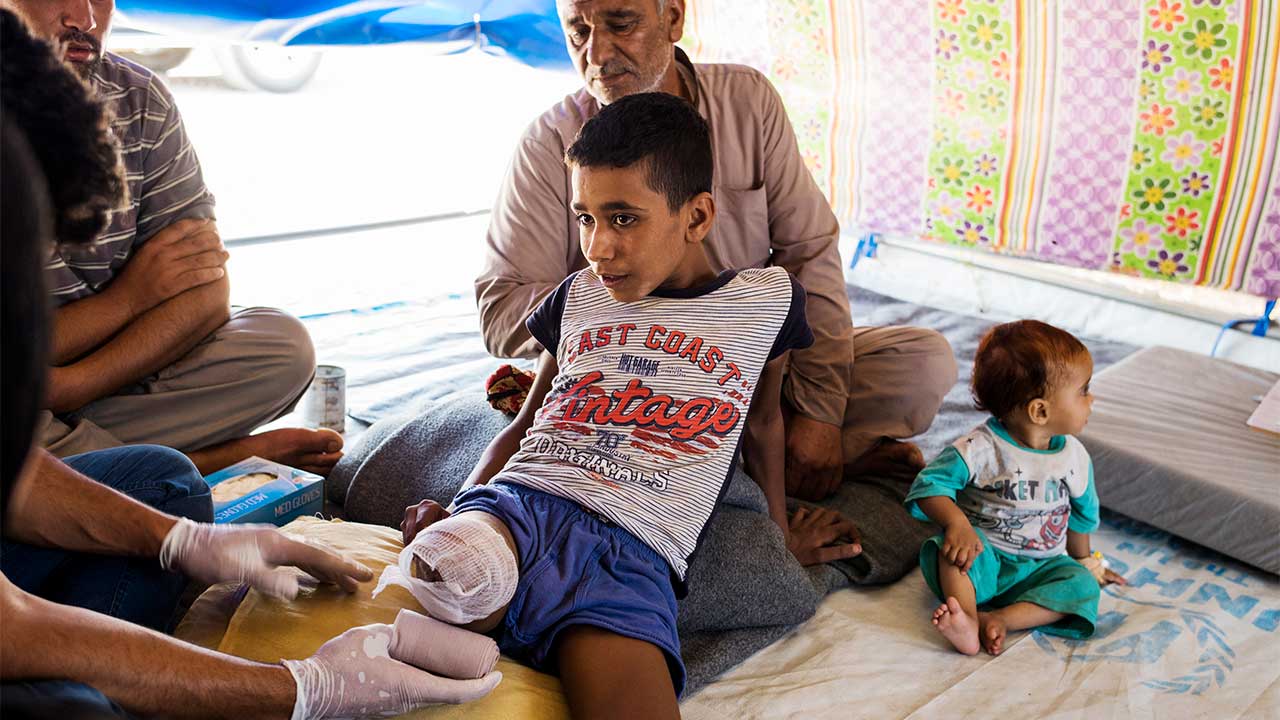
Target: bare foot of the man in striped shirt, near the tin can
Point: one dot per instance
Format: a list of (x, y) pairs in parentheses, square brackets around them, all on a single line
[(314, 452)]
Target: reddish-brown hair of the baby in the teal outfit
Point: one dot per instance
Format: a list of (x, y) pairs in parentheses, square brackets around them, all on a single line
[(1020, 362)]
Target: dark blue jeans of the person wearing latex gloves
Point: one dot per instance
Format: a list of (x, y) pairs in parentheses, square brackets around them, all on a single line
[(134, 590)]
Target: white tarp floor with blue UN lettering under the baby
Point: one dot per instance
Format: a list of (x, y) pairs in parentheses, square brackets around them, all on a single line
[(1194, 636)]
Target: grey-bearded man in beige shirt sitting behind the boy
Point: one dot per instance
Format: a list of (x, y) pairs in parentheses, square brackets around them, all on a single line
[(845, 417)]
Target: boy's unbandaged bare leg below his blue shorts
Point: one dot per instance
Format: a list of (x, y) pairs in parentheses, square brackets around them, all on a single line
[(611, 676)]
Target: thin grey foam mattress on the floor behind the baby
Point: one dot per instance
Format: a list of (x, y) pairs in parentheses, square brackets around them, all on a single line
[(1171, 446)]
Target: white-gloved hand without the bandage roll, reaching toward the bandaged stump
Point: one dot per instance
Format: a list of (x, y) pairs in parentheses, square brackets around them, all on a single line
[(259, 555)]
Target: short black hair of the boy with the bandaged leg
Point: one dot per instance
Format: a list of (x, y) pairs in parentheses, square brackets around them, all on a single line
[(657, 129)]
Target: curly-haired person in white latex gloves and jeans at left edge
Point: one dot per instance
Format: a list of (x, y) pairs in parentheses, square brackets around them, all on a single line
[(92, 569)]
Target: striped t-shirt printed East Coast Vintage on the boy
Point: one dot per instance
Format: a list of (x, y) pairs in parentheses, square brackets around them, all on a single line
[(643, 423)]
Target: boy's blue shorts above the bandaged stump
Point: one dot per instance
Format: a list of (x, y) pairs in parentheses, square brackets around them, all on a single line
[(578, 569)]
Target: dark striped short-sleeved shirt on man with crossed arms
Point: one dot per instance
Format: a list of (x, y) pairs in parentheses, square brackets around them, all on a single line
[(163, 174)]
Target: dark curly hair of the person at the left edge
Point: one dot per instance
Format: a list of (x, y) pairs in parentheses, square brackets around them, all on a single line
[(67, 129)]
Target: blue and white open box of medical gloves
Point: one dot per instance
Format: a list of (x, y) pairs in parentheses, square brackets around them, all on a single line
[(260, 491)]
